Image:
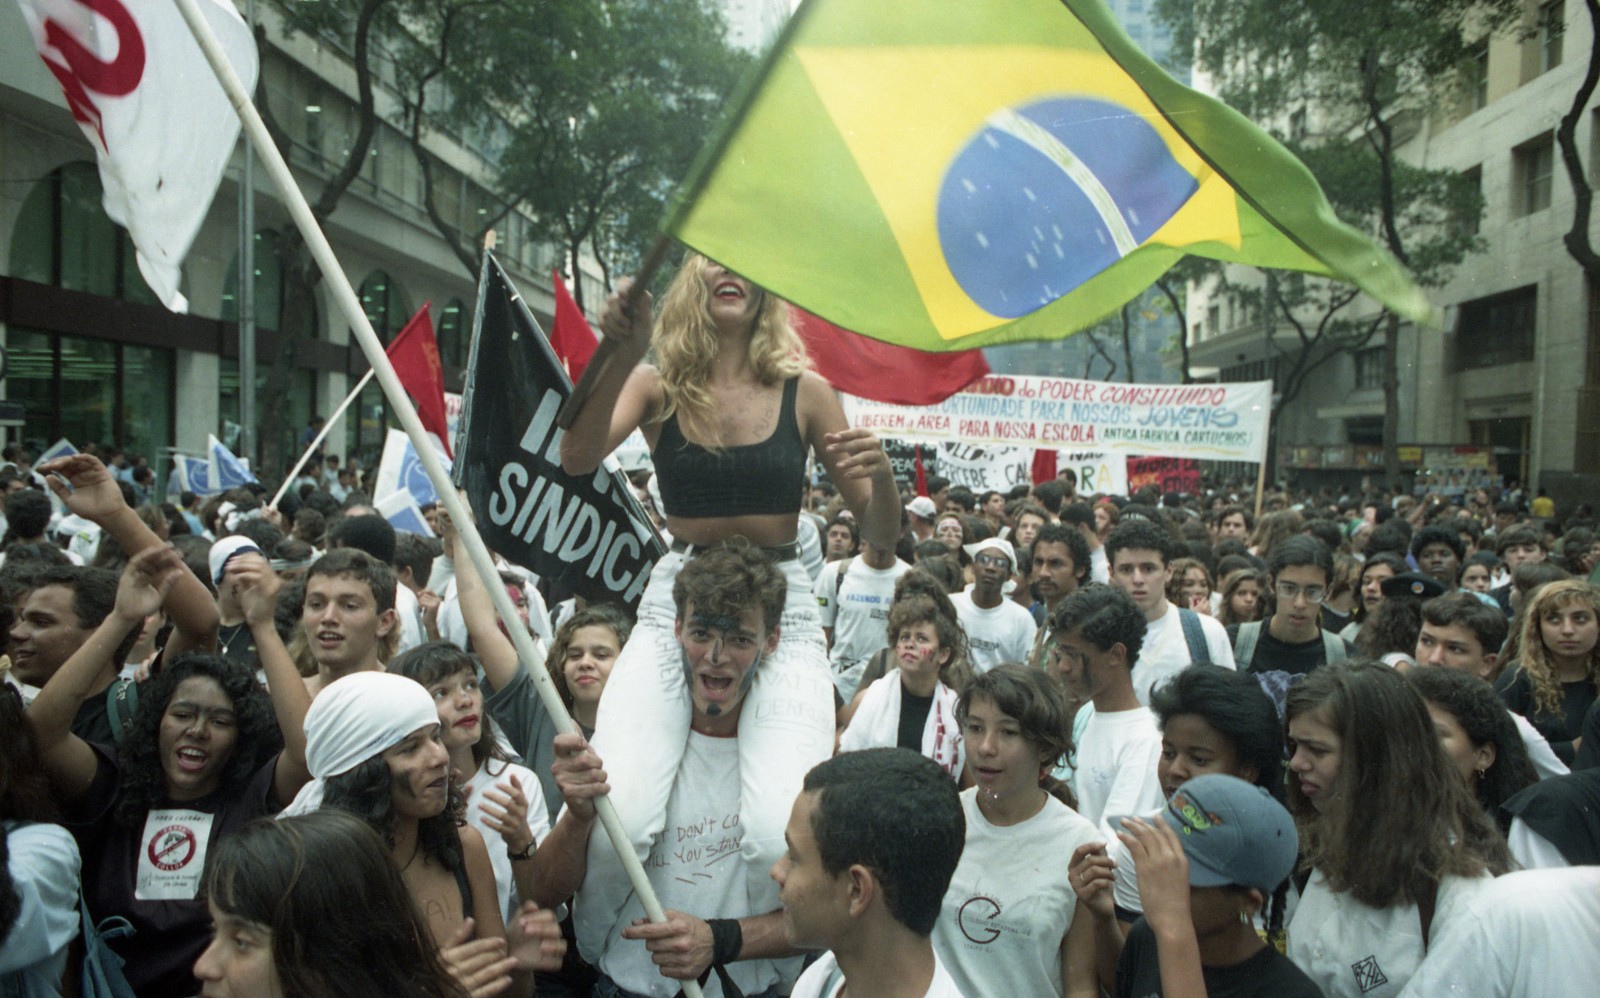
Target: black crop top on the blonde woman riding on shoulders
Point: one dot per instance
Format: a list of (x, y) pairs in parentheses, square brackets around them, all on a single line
[(745, 481)]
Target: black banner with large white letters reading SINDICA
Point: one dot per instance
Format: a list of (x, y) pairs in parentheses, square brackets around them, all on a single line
[(585, 535)]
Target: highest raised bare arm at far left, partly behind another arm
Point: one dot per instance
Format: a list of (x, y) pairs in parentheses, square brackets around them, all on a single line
[(95, 497)]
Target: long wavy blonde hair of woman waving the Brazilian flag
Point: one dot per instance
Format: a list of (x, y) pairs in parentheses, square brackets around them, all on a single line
[(686, 346)]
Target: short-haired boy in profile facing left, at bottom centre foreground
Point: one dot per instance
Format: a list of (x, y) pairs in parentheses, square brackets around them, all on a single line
[(874, 839)]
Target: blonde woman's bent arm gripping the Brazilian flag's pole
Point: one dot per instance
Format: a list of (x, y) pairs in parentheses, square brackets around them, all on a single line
[(625, 393)]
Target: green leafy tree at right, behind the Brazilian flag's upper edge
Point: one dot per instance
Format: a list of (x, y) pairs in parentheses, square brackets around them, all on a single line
[(1348, 82)]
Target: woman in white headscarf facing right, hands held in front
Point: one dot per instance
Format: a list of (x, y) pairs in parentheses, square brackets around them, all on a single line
[(377, 751)]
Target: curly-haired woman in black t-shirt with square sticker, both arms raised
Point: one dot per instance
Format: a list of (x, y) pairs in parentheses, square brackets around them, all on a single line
[(204, 756)]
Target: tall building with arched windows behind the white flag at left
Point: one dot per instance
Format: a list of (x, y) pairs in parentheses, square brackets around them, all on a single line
[(94, 357)]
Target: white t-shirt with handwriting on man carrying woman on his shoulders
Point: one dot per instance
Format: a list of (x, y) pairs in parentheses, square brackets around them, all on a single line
[(695, 868)]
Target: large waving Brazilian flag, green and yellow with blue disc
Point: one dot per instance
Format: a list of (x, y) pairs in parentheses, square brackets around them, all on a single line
[(961, 174)]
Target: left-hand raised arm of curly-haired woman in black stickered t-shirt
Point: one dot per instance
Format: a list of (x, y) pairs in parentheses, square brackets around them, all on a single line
[(70, 760)]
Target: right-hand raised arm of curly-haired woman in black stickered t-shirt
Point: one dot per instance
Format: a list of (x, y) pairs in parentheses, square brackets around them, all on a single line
[(258, 593)]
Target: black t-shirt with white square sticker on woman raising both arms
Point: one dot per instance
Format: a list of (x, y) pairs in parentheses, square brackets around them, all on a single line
[(169, 935)]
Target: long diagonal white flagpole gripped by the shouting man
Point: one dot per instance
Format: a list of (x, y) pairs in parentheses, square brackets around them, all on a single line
[(351, 306)]
